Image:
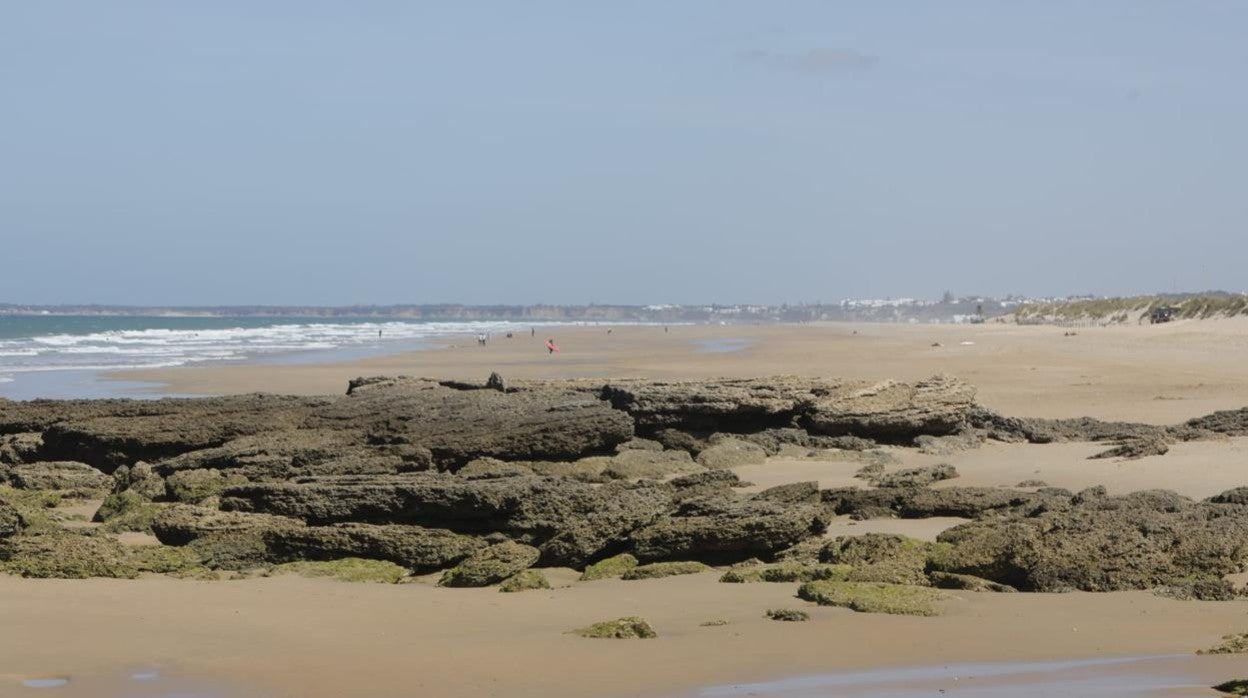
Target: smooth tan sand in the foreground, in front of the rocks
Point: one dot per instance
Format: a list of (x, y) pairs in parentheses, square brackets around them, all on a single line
[(304, 637)]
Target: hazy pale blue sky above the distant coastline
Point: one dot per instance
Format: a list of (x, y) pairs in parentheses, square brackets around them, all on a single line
[(306, 153)]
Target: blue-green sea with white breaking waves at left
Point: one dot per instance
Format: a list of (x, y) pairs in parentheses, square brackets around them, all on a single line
[(63, 356)]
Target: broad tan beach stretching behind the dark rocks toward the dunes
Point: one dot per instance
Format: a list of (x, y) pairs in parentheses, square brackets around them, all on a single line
[(1148, 374)]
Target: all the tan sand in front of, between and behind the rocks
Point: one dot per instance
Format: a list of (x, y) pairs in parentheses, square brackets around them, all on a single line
[(304, 637)]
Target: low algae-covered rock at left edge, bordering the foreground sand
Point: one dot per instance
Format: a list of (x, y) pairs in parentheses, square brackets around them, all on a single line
[(67, 556)]
